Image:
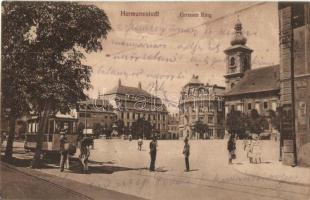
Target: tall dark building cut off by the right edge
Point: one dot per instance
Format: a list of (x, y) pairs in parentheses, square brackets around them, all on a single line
[(294, 21)]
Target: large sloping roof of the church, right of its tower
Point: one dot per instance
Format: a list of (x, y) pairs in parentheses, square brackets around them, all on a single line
[(258, 80)]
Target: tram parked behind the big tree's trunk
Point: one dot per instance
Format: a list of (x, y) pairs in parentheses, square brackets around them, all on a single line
[(51, 135)]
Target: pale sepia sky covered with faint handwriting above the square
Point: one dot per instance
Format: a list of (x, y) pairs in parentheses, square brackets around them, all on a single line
[(171, 47)]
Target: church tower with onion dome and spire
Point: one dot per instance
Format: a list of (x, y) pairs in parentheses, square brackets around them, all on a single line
[(238, 58)]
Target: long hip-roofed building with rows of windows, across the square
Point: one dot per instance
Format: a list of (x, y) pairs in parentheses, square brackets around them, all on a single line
[(132, 103)]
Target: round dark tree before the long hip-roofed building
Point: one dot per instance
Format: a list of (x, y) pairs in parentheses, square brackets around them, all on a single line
[(141, 128)]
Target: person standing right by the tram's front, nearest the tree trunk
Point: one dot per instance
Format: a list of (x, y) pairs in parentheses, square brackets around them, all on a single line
[(64, 150)]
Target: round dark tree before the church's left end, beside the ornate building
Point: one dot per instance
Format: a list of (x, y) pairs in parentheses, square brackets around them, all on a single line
[(236, 123)]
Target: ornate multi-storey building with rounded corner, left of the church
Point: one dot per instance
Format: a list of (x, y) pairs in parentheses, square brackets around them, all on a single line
[(201, 102)]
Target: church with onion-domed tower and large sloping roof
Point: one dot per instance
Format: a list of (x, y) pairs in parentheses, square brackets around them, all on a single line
[(247, 88)]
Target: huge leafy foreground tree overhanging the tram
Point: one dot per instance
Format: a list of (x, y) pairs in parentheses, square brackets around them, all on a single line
[(42, 52)]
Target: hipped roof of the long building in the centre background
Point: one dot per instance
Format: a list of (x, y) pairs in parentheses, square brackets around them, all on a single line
[(121, 89)]
